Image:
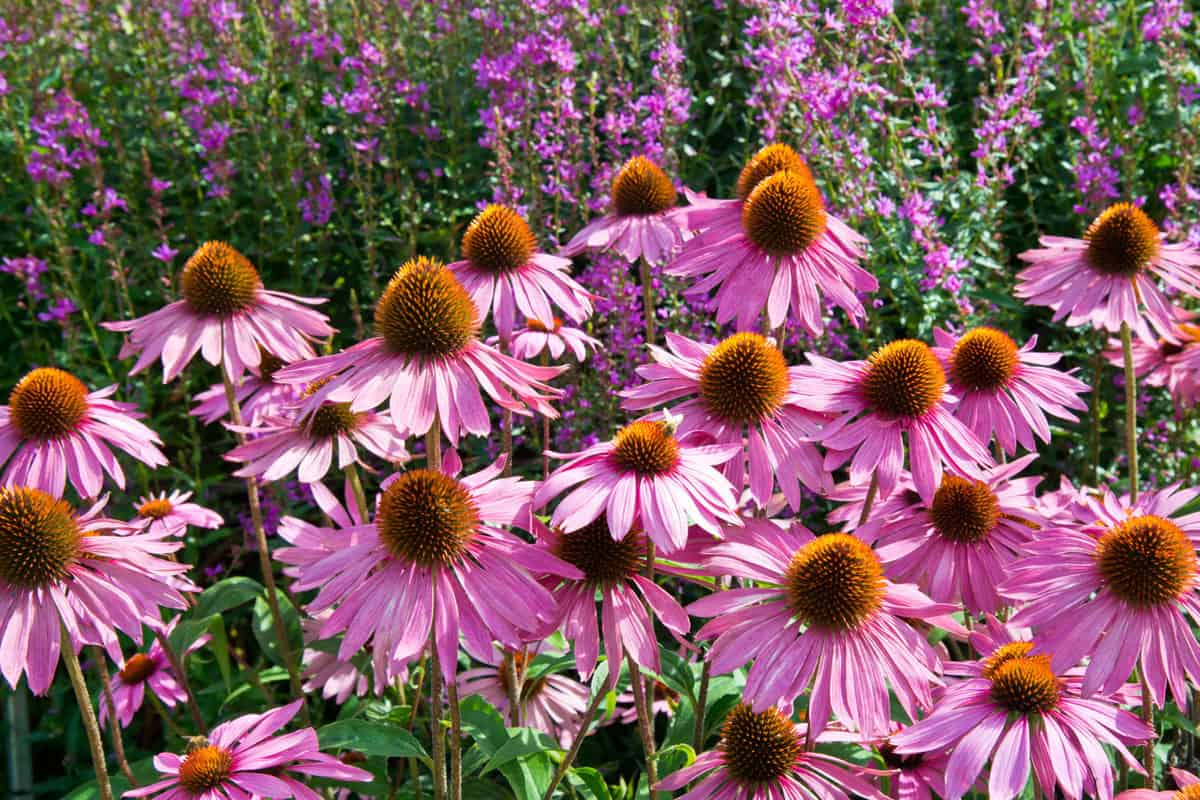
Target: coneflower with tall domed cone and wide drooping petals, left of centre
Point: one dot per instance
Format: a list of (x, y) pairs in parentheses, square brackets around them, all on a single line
[(428, 359)]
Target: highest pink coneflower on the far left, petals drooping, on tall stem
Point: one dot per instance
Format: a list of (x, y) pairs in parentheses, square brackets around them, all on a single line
[(226, 316)]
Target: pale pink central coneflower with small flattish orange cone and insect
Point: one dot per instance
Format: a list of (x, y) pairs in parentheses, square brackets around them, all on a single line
[(647, 477)]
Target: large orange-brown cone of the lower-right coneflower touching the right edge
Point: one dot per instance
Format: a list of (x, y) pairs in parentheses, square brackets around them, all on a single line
[(1147, 562)]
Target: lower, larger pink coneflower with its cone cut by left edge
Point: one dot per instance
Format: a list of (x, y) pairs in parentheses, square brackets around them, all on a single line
[(62, 568)]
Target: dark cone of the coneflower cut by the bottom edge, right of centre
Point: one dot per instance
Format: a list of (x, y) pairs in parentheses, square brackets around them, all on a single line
[(759, 748)]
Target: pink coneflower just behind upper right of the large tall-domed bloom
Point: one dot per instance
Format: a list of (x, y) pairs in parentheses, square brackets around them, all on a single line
[(505, 273)]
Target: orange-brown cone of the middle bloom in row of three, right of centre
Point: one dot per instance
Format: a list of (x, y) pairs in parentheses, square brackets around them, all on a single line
[(904, 380)]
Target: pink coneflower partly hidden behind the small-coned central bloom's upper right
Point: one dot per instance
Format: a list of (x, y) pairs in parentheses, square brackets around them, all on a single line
[(740, 390)]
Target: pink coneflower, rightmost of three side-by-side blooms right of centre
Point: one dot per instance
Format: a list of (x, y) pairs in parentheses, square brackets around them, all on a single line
[(1007, 392)]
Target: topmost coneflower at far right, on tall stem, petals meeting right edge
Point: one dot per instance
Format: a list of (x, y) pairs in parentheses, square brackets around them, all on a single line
[(1112, 275)]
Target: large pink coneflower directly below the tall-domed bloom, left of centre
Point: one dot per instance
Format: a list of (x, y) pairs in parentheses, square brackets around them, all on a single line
[(435, 561)]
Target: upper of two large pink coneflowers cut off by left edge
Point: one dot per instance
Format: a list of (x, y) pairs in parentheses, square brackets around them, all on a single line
[(53, 430)]
